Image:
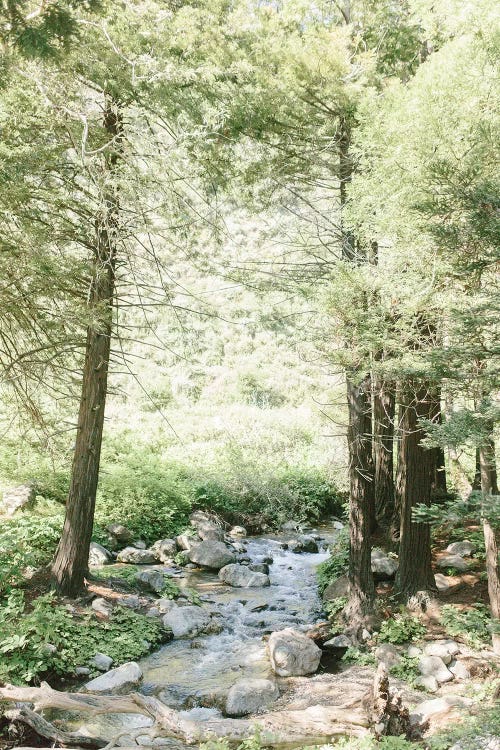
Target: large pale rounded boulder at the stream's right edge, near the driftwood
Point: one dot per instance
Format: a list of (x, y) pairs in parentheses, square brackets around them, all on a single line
[(293, 653)]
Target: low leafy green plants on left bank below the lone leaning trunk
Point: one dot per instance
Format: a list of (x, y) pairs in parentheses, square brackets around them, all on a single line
[(28, 635)]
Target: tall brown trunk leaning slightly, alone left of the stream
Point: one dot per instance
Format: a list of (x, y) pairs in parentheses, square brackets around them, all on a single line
[(70, 565)]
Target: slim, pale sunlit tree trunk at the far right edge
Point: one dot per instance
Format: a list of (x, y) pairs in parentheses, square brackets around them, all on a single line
[(489, 487)]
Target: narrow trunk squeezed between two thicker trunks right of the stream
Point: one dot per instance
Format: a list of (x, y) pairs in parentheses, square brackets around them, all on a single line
[(384, 407)]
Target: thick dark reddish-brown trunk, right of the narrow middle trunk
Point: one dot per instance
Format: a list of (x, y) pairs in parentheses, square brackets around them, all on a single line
[(415, 471)]
